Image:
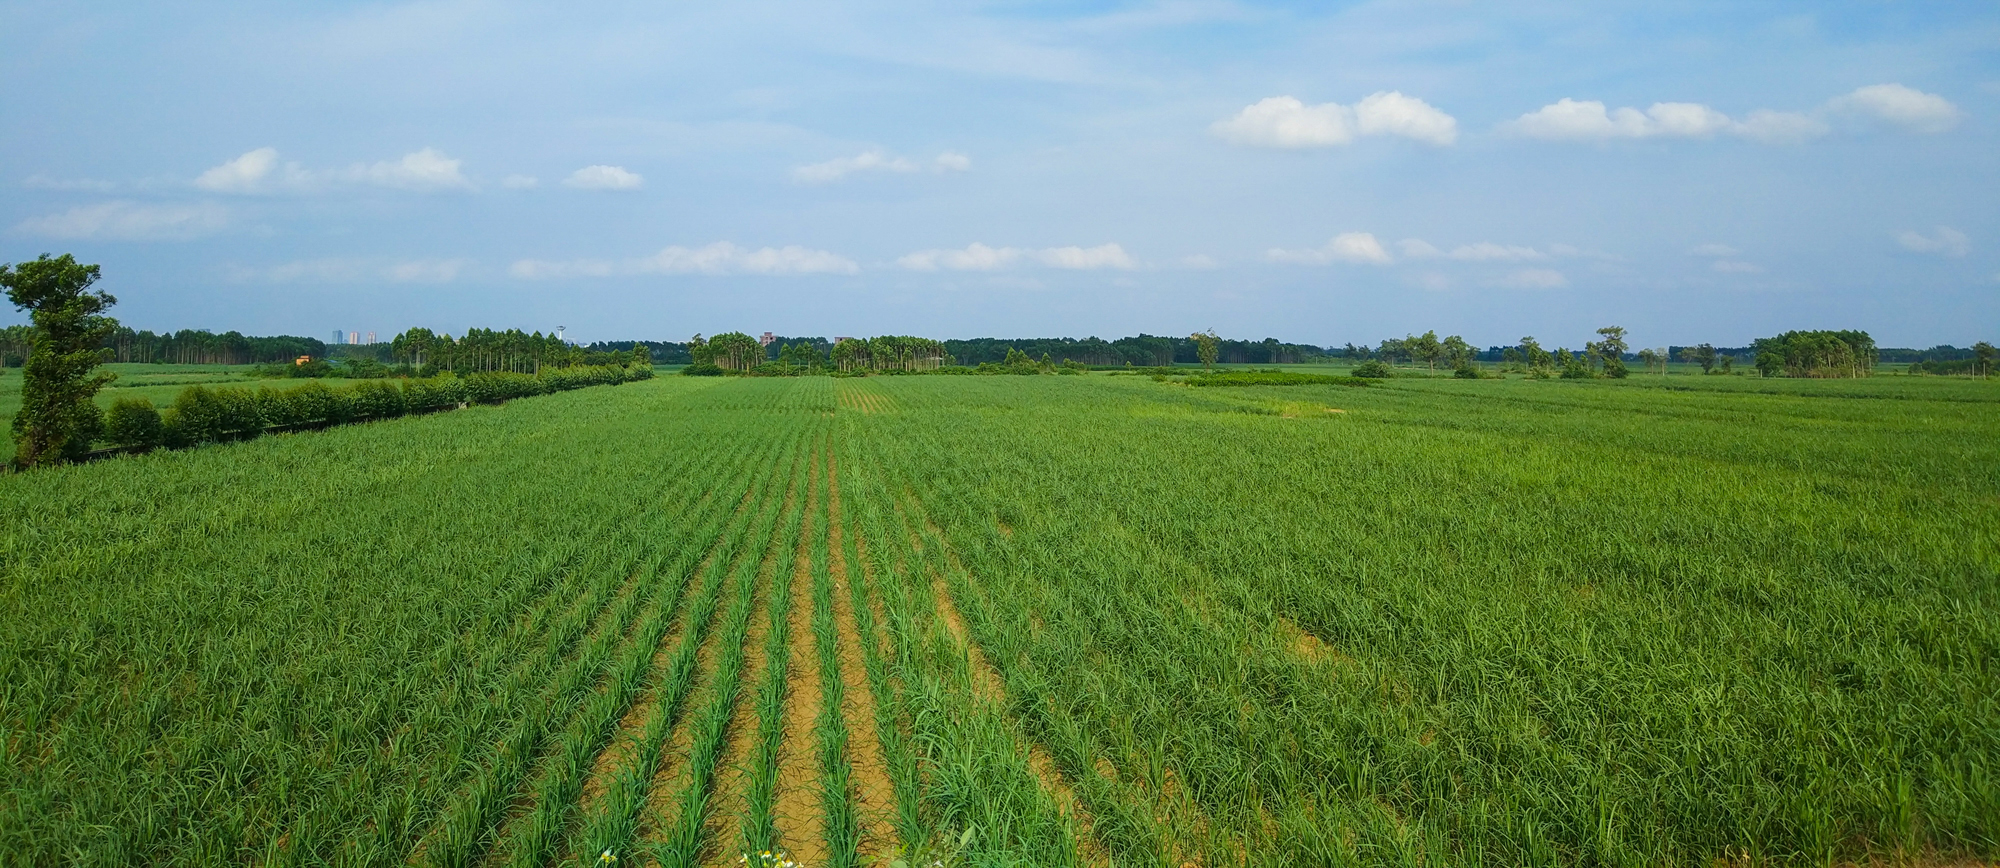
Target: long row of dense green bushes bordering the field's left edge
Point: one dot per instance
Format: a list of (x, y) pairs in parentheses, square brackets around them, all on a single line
[(207, 415)]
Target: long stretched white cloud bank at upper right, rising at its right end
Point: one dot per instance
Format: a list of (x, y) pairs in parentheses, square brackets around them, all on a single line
[(1891, 105)]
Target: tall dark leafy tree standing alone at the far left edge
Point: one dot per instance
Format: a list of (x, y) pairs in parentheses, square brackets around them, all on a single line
[(59, 415)]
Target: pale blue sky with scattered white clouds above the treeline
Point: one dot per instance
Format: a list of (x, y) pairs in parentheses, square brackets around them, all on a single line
[(1317, 173)]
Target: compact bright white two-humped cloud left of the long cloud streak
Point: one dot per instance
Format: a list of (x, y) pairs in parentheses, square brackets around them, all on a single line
[(1289, 123)]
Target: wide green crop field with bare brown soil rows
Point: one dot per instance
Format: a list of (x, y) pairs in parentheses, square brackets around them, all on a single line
[(1027, 621)]
